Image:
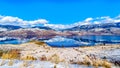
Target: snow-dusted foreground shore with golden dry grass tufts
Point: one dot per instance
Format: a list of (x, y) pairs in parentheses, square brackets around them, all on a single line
[(96, 56)]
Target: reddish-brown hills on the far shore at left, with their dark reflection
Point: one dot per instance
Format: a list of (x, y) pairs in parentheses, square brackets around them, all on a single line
[(32, 33)]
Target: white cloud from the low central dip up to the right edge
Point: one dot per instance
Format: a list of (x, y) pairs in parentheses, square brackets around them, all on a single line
[(87, 21)]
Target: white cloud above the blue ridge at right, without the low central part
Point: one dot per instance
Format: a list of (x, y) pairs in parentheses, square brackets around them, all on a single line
[(98, 20)]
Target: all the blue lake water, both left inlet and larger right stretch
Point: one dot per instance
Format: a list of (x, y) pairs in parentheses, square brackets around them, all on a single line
[(72, 41)]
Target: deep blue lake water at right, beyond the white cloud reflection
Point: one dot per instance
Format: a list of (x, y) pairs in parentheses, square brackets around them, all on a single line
[(99, 39)]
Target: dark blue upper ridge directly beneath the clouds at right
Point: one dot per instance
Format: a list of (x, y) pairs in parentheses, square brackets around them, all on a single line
[(94, 26)]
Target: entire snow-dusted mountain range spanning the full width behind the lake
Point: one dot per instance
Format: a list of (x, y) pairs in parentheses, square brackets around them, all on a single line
[(46, 32)]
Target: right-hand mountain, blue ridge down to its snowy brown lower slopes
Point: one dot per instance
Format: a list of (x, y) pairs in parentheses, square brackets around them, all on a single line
[(97, 29)]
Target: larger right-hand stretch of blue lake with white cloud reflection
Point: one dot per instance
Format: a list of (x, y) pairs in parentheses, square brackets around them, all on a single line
[(83, 40)]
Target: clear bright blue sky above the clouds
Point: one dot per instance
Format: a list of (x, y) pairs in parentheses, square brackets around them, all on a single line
[(59, 11)]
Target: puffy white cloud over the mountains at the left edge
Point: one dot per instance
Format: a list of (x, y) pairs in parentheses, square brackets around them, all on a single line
[(9, 20)]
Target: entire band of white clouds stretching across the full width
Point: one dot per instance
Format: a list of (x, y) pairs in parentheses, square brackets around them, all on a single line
[(9, 20)]
